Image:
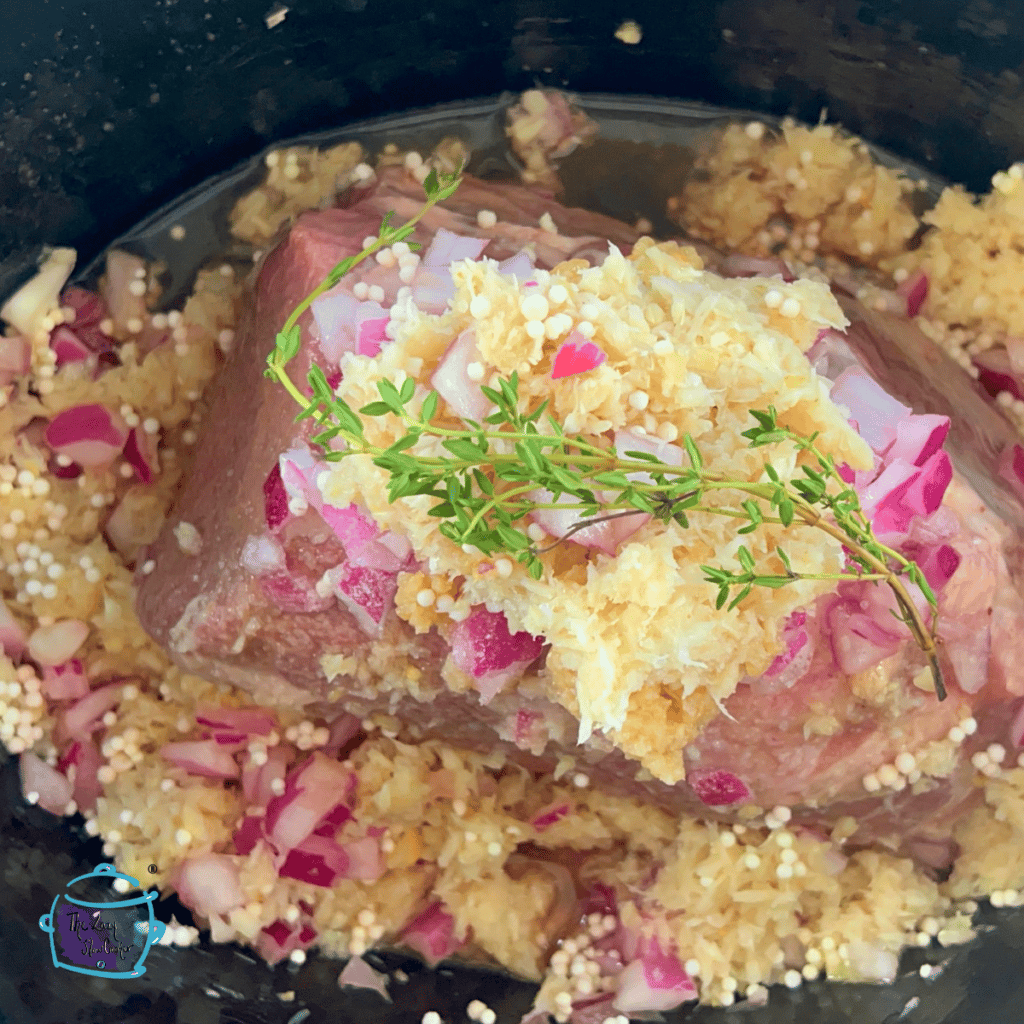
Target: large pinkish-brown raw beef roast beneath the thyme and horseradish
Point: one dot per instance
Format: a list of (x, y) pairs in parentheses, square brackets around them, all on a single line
[(843, 724)]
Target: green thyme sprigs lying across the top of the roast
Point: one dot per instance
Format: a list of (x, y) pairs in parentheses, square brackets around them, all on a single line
[(483, 492)]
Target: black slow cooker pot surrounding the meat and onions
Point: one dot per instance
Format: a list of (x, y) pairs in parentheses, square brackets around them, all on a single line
[(110, 109)]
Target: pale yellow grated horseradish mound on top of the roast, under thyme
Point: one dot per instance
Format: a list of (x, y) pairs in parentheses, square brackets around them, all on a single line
[(638, 650)]
